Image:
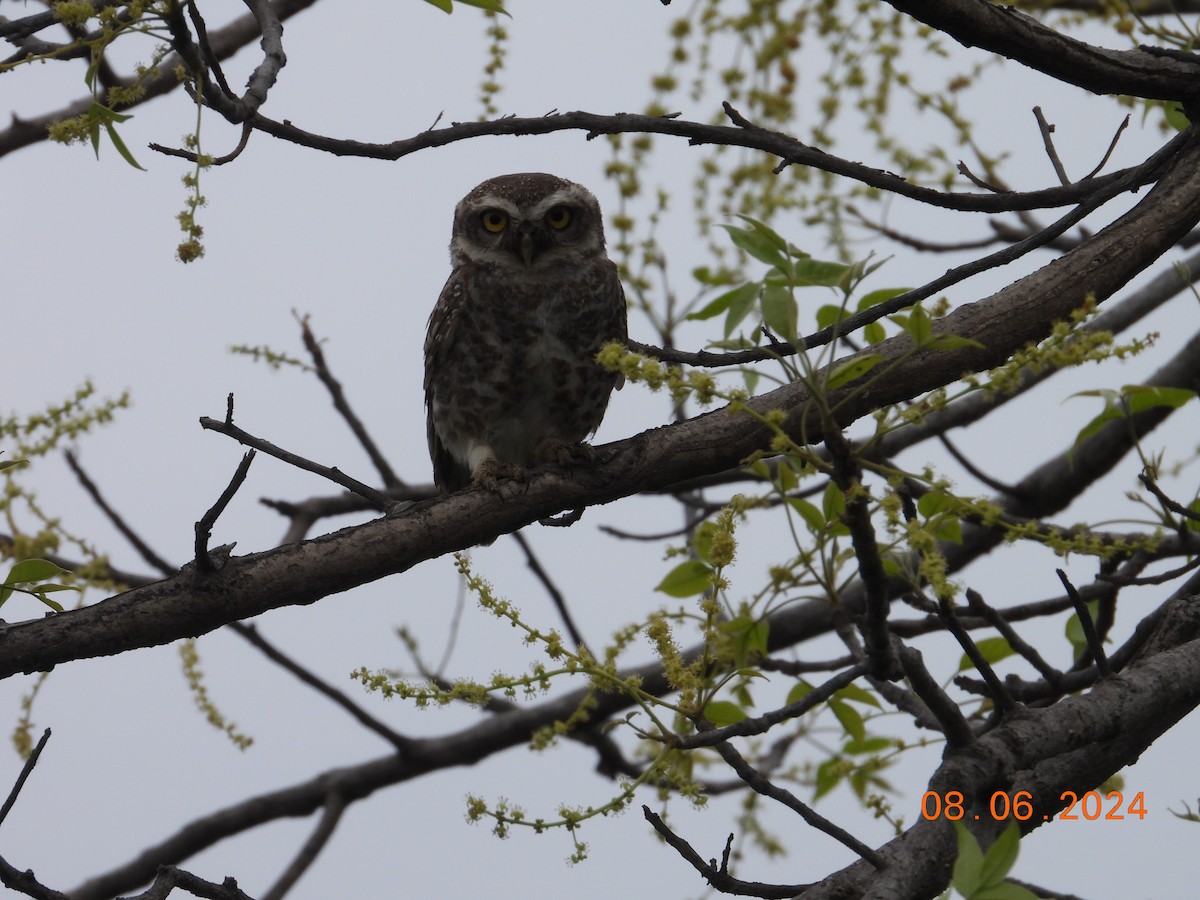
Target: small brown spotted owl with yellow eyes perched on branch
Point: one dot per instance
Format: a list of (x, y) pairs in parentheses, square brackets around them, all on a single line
[(511, 371)]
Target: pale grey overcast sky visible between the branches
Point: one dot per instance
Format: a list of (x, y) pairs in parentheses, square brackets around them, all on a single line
[(92, 291)]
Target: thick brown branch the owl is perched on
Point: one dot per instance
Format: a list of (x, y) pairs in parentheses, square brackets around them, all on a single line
[(193, 603)]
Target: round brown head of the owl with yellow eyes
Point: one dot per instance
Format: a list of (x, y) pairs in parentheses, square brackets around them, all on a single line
[(529, 221)]
